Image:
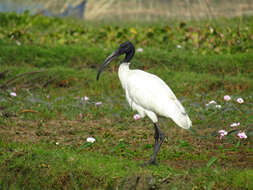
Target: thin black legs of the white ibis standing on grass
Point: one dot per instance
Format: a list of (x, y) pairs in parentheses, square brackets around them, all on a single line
[(159, 138)]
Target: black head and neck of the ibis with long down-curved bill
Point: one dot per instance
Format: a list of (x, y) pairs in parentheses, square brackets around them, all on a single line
[(124, 48)]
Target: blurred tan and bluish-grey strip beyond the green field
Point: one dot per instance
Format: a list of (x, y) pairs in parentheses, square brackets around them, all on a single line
[(132, 9)]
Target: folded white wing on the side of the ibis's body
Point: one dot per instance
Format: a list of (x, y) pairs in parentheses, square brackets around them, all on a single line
[(152, 93)]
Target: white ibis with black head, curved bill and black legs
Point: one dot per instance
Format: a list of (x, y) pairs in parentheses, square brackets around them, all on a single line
[(147, 94)]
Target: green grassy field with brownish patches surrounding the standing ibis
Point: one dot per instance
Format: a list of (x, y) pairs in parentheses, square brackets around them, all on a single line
[(51, 65)]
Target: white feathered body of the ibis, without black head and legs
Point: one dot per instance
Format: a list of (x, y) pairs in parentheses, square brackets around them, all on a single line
[(150, 96)]
